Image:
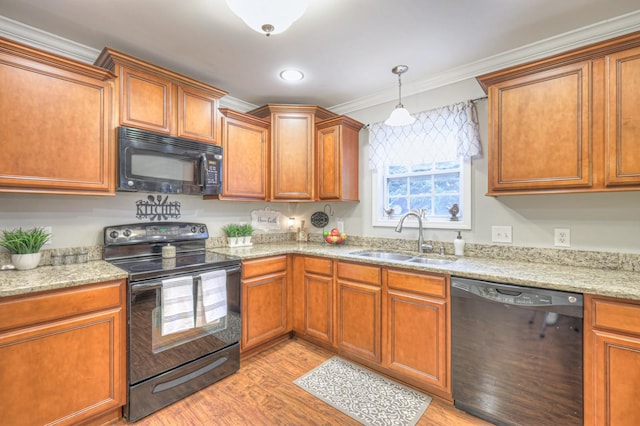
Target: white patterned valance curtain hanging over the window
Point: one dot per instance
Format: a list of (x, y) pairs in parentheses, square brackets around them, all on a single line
[(440, 134)]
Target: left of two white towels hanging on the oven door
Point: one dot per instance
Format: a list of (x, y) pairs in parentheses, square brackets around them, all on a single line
[(177, 305)]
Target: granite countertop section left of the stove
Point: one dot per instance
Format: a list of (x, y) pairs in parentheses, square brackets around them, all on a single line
[(13, 282)]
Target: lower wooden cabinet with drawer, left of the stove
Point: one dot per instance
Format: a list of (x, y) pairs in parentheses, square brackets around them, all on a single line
[(63, 356)]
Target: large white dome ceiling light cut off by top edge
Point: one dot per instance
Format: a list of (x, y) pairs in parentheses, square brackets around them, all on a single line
[(268, 16)]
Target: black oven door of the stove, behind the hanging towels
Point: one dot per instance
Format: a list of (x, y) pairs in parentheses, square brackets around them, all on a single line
[(151, 353)]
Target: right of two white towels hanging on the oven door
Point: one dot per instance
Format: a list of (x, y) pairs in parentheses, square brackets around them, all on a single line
[(212, 297)]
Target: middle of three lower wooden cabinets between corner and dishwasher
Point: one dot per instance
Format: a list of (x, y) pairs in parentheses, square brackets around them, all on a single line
[(358, 304)]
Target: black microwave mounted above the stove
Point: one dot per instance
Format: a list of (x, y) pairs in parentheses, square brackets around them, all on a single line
[(152, 162)]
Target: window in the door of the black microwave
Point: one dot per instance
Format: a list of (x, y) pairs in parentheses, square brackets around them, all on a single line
[(145, 164)]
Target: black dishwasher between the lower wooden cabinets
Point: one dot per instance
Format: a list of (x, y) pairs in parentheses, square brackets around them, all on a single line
[(516, 353)]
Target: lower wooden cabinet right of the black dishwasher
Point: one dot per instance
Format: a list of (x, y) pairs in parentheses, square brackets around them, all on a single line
[(612, 361)]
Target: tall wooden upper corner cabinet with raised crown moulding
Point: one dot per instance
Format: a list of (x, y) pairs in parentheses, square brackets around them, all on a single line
[(292, 164)]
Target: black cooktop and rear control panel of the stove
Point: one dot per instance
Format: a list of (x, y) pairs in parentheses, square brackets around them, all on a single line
[(137, 248)]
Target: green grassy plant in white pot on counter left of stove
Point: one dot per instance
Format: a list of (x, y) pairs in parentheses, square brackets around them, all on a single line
[(24, 246)]
